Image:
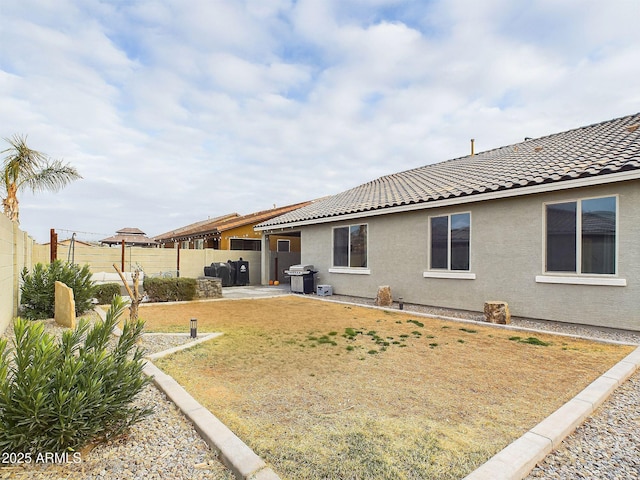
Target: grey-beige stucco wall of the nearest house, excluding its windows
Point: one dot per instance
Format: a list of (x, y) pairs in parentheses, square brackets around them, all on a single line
[(507, 253)]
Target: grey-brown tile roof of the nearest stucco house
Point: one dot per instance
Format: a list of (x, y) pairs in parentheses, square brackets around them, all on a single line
[(595, 150)]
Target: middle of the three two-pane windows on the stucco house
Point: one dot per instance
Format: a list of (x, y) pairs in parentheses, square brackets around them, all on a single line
[(450, 241)]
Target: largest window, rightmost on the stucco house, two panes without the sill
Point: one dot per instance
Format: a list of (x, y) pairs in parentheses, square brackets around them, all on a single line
[(581, 236)]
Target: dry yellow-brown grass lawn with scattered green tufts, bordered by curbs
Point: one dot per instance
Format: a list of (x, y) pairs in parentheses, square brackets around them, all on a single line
[(326, 390)]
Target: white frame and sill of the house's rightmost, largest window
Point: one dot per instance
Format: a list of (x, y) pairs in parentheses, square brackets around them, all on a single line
[(577, 277)]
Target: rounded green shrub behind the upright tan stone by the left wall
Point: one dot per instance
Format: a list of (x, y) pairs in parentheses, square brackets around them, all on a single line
[(37, 299)]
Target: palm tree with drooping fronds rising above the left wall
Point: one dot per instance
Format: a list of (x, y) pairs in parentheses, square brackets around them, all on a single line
[(24, 167)]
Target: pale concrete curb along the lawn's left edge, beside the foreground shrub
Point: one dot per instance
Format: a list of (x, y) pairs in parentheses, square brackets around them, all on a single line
[(233, 452)]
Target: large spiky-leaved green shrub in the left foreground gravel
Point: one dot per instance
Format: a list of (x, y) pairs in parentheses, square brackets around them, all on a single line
[(60, 395)]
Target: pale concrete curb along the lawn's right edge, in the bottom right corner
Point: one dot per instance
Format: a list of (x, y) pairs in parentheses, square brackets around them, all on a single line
[(515, 461)]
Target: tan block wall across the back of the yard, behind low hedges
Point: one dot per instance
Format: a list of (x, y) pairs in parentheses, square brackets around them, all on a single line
[(152, 260)]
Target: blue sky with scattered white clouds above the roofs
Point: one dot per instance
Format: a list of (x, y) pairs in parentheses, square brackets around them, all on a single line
[(177, 111)]
